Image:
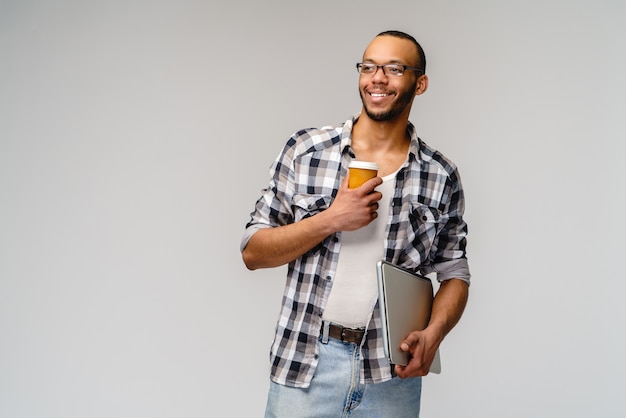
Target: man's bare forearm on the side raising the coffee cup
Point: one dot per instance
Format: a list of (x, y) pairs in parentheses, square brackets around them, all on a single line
[(273, 247)]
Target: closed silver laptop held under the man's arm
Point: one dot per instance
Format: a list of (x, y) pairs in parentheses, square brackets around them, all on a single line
[(405, 300)]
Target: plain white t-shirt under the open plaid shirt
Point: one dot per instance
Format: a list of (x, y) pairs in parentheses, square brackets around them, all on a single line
[(355, 290)]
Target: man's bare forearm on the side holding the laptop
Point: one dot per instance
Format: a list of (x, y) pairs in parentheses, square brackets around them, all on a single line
[(448, 307)]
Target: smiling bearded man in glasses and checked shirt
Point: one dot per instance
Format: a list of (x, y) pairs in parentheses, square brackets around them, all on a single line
[(327, 359)]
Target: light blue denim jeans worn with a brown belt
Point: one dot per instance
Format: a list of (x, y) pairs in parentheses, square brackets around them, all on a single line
[(335, 391)]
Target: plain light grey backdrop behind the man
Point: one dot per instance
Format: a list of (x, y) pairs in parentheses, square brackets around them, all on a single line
[(135, 137)]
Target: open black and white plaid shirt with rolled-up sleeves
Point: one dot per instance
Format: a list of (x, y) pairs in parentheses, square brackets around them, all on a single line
[(425, 232)]
